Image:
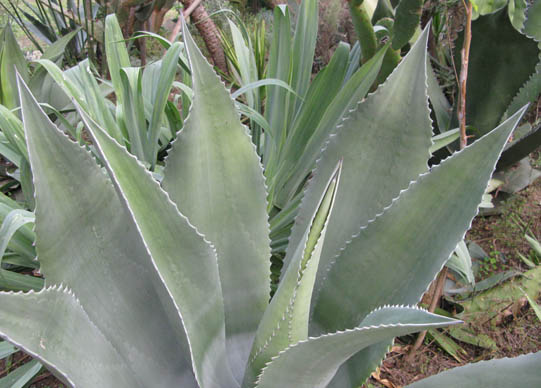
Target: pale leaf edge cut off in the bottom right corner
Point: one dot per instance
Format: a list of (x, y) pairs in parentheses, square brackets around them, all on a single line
[(521, 371)]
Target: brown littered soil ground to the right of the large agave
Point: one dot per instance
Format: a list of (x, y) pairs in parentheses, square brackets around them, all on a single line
[(515, 331)]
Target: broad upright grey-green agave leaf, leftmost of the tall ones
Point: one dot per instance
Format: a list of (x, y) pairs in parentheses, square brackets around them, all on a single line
[(102, 259)]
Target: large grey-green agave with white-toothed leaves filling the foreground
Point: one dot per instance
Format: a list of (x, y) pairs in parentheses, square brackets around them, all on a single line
[(151, 285)]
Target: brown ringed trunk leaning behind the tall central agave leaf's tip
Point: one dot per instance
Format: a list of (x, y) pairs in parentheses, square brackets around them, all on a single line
[(210, 34)]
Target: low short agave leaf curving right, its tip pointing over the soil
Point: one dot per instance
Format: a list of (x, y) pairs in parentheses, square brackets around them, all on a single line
[(313, 363)]
